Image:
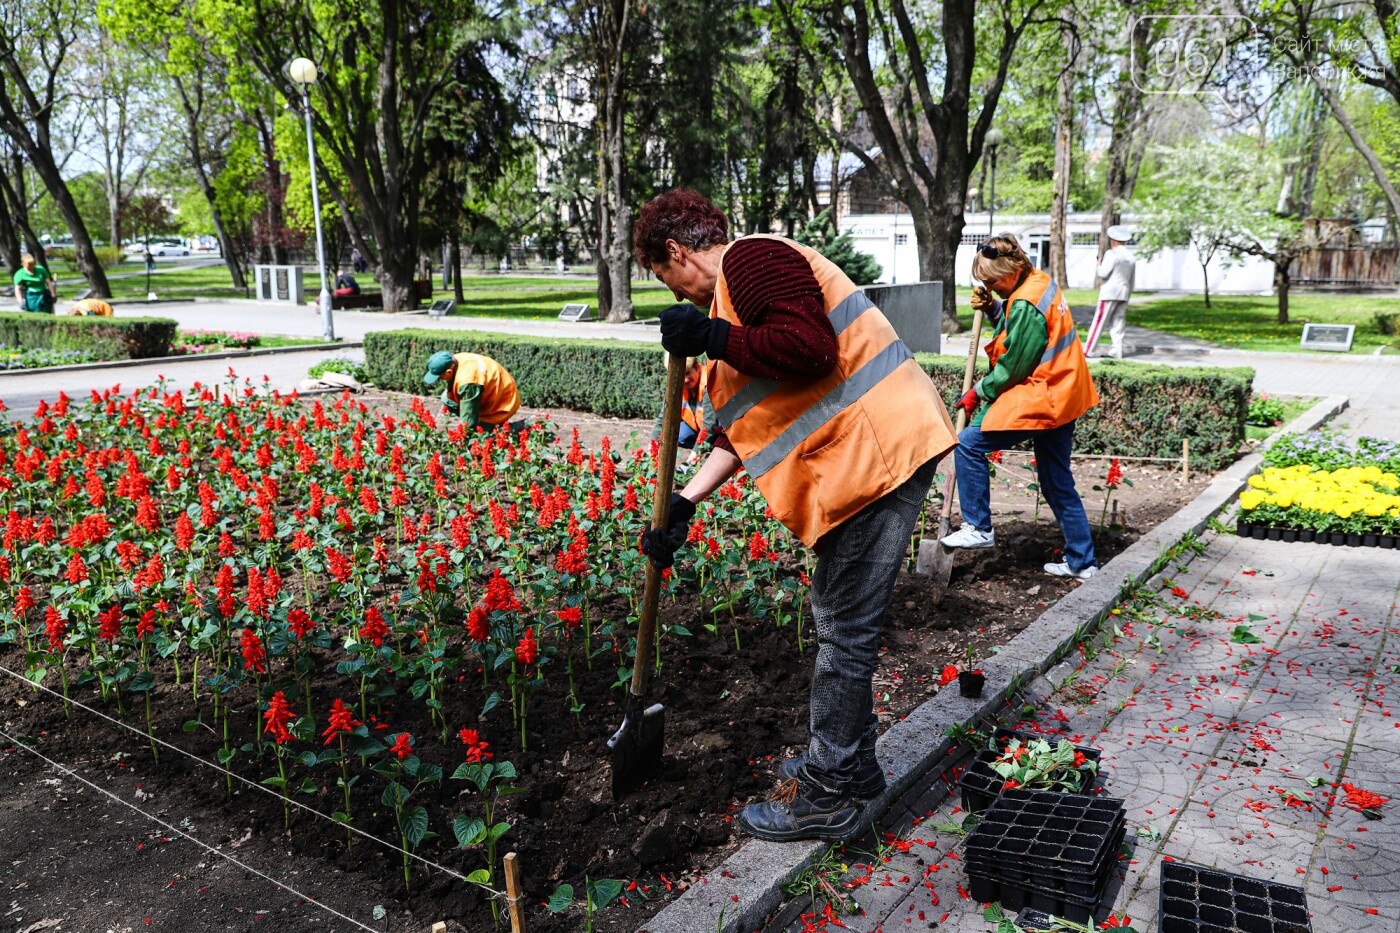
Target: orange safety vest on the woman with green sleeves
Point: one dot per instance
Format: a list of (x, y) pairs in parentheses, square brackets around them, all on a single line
[(1060, 389)]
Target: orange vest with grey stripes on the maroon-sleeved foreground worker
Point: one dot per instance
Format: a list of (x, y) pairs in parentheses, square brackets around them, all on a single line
[(822, 450)]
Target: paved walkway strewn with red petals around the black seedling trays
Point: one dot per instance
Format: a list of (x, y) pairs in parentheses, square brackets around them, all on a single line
[(1212, 740)]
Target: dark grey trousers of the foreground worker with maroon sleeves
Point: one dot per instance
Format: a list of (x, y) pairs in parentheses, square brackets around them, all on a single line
[(850, 590)]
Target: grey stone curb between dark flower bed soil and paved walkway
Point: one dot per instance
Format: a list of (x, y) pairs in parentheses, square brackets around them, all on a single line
[(747, 887)]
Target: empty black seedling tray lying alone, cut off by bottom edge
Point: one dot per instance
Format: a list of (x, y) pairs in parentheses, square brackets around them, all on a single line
[(1198, 900)]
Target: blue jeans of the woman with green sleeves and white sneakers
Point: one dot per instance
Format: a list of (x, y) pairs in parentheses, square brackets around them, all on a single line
[(1052, 449)]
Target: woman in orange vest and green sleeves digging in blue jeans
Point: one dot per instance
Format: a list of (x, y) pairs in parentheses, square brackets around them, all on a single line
[(1038, 386)]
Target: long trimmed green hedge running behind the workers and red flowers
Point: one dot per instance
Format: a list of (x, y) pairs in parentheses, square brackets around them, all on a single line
[(1144, 411)]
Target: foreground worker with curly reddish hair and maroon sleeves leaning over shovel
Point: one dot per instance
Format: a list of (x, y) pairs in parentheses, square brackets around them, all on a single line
[(824, 406)]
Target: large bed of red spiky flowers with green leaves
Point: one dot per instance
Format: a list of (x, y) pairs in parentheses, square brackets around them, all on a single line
[(377, 609)]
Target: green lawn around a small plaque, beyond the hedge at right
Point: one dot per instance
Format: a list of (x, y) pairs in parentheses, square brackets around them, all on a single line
[(1252, 323)]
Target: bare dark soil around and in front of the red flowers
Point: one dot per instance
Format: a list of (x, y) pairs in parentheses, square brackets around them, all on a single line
[(733, 715)]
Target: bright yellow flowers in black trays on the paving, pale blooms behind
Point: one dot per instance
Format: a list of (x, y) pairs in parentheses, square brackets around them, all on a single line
[(1318, 488)]
